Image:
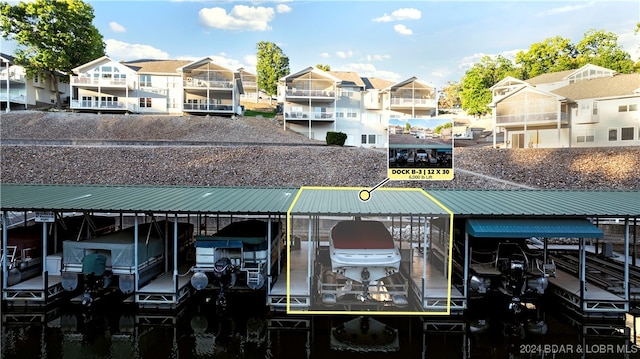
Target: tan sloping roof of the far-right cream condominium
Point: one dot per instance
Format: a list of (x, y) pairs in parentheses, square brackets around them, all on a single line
[(618, 85)]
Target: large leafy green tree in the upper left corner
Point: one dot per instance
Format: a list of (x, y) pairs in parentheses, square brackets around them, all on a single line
[(53, 36)]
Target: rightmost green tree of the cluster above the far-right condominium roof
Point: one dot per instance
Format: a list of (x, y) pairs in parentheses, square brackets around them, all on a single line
[(601, 48)]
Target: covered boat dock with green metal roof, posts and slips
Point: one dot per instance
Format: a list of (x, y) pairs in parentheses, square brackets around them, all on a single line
[(426, 226)]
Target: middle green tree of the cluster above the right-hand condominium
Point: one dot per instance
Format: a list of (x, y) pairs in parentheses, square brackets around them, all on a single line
[(552, 55)]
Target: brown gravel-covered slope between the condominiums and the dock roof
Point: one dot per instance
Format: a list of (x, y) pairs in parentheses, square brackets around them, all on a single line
[(263, 154)]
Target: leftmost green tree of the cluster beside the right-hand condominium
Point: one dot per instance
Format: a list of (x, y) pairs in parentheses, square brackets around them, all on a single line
[(475, 95)]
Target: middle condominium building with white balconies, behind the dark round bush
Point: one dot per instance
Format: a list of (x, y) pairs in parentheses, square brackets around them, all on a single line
[(316, 102)]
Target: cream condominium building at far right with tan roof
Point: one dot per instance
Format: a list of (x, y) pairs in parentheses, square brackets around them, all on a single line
[(588, 107)]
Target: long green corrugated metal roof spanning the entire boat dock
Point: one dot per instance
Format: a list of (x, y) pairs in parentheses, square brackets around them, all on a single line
[(320, 200)]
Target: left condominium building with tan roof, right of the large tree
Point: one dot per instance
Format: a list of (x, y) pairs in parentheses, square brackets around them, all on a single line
[(156, 86)]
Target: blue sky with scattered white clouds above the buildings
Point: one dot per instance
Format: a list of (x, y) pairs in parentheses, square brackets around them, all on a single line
[(435, 41)]
